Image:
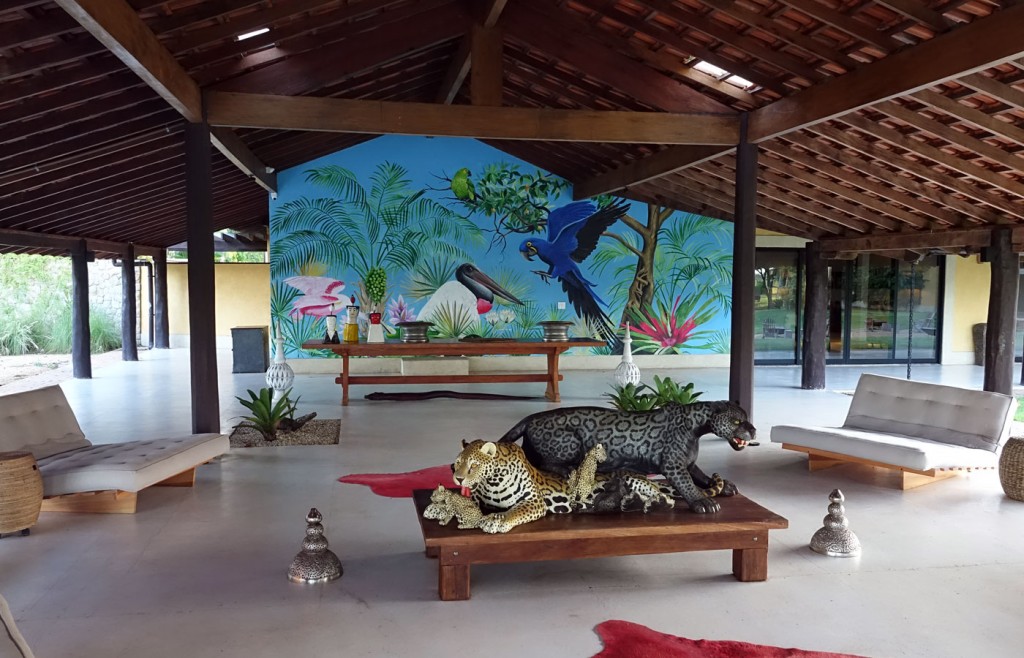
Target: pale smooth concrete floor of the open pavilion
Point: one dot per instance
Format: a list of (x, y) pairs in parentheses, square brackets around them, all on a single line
[(201, 573)]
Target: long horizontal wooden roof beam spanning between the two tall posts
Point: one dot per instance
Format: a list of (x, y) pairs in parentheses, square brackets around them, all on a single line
[(378, 117)]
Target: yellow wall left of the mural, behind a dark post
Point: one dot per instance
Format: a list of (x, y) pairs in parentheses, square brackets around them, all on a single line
[(242, 297)]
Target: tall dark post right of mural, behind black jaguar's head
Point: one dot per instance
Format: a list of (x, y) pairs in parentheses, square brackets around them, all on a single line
[(745, 217)]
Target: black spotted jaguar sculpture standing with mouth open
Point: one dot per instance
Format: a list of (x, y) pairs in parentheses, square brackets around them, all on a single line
[(665, 442)]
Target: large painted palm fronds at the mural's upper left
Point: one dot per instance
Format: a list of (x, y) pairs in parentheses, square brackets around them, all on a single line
[(354, 228)]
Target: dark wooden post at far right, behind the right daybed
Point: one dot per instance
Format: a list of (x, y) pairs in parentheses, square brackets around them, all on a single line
[(1002, 314)]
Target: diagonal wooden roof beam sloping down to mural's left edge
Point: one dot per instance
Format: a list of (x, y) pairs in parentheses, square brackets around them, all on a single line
[(117, 26)]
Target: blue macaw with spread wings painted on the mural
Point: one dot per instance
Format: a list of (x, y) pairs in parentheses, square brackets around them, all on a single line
[(573, 234)]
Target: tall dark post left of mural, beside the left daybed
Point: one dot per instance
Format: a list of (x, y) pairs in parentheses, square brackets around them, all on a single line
[(202, 312)]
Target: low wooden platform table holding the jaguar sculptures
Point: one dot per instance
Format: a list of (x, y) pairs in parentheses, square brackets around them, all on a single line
[(742, 525)]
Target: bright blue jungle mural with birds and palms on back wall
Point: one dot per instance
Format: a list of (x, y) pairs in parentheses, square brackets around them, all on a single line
[(458, 234)]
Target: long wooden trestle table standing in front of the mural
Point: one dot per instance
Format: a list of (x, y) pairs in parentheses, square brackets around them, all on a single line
[(451, 347)]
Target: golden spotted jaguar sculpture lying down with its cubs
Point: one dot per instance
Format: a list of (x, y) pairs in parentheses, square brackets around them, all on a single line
[(500, 477)]
